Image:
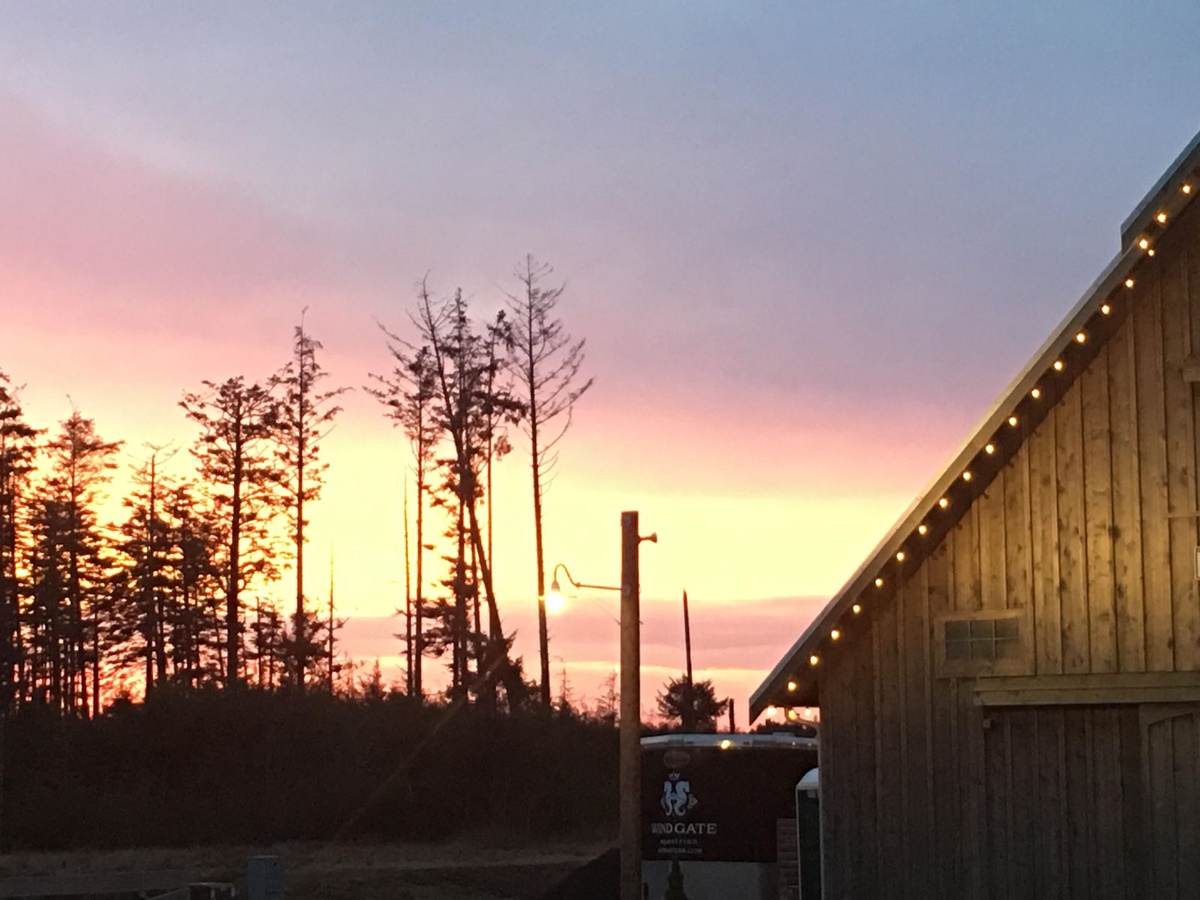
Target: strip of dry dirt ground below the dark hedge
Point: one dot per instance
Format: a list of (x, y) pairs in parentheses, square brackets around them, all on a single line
[(464, 871)]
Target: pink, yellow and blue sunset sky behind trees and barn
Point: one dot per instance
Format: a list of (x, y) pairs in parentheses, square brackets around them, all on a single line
[(808, 245)]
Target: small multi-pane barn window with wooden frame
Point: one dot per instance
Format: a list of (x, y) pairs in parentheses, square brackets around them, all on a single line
[(982, 644)]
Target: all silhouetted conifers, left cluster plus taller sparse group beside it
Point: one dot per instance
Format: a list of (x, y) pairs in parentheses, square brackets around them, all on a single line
[(179, 587)]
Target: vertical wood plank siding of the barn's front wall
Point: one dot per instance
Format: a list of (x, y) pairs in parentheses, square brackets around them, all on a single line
[(1091, 529)]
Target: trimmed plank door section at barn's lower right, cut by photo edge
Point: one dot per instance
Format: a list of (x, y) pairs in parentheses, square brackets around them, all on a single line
[(1172, 767)]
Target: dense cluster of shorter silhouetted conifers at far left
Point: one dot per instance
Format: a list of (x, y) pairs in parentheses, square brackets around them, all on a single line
[(175, 589)]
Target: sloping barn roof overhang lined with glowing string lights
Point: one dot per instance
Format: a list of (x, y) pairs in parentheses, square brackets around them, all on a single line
[(795, 681)]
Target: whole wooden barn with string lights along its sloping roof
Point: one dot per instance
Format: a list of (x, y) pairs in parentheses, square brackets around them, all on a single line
[(1010, 686)]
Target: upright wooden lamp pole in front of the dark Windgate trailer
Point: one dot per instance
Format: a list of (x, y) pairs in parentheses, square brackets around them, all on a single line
[(631, 713)]
